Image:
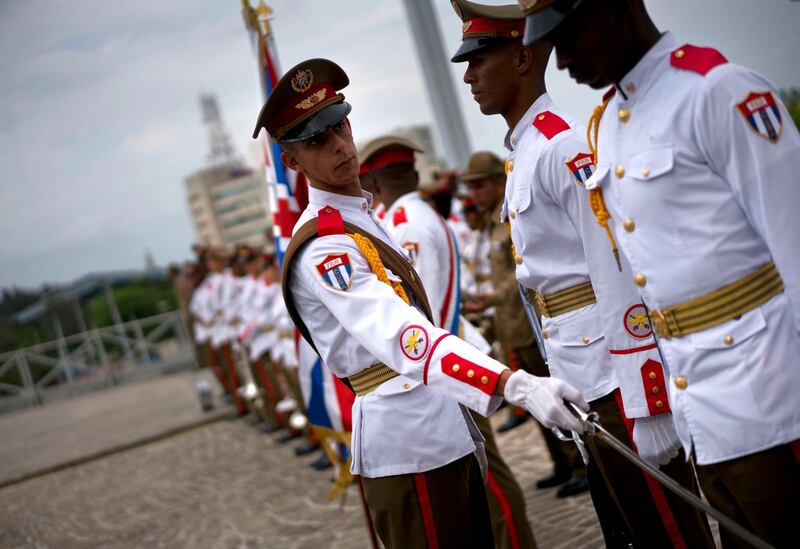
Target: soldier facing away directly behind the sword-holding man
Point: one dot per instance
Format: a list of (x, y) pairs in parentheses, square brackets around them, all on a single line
[(387, 163)]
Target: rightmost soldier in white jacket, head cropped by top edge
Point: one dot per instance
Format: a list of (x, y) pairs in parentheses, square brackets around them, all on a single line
[(696, 165)]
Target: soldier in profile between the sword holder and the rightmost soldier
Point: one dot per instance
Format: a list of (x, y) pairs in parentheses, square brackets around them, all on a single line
[(591, 312)]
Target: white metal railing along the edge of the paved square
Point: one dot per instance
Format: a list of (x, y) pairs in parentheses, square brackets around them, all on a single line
[(94, 359)]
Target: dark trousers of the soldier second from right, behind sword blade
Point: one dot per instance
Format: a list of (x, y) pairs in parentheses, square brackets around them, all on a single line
[(631, 505)]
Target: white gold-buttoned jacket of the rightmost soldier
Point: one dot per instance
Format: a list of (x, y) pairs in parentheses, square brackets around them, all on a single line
[(697, 159)]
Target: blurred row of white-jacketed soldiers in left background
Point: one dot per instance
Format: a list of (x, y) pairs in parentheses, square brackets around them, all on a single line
[(243, 332)]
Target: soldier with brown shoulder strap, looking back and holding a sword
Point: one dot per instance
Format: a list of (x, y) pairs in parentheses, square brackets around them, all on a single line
[(411, 442)]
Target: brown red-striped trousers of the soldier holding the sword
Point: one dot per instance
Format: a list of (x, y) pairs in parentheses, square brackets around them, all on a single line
[(443, 508)]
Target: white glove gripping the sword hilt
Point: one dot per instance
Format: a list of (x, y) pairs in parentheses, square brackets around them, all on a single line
[(544, 398)]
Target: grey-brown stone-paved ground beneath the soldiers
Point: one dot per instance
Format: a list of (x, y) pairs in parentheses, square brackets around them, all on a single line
[(223, 484)]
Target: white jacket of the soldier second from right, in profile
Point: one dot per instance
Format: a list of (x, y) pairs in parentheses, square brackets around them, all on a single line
[(557, 235)]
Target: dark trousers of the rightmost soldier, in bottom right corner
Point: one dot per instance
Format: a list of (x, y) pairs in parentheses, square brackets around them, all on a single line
[(759, 491)]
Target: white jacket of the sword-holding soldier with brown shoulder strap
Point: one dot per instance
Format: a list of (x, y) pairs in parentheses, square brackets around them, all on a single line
[(411, 423)]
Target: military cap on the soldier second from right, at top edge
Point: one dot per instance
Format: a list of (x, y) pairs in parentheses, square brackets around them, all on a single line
[(485, 26)]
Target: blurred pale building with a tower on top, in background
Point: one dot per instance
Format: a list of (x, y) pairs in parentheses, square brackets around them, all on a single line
[(227, 201)]
